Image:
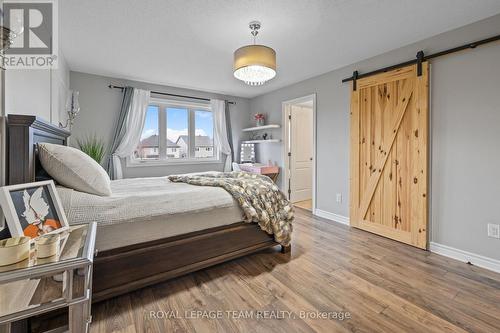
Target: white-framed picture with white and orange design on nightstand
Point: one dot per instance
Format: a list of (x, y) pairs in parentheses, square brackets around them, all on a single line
[(32, 209)]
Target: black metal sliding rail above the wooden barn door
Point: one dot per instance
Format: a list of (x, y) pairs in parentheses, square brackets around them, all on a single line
[(421, 57)]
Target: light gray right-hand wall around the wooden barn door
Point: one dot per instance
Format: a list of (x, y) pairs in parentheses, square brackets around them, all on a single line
[(465, 117)]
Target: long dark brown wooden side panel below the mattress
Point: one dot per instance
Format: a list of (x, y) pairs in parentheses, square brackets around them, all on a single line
[(125, 269)]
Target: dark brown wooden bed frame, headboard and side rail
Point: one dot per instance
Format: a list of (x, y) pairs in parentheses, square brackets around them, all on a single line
[(128, 268)]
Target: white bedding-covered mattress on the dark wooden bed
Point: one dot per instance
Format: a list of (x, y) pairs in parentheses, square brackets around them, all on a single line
[(142, 209)]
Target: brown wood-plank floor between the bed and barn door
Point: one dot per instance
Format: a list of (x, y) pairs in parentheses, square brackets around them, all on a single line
[(384, 285)]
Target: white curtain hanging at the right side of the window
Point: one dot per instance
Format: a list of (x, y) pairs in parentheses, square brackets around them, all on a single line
[(221, 133)]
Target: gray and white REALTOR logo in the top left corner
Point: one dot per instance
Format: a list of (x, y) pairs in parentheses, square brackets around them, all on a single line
[(34, 31)]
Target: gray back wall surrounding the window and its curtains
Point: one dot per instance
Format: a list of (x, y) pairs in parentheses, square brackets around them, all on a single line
[(100, 107)]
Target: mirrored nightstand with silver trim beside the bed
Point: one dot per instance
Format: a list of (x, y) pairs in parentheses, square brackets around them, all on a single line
[(36, 286)]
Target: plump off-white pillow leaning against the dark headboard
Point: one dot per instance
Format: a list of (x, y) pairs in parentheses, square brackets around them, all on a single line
[(73, 168)]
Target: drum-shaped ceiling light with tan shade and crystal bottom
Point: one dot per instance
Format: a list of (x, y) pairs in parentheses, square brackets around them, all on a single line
[(254, 64)]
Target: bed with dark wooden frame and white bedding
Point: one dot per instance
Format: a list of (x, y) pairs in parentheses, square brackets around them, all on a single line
[(180, 235)]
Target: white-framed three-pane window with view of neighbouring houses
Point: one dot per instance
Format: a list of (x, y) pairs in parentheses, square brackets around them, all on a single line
[(176, 132)]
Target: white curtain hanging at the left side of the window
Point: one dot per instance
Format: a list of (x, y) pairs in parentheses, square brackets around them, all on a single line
[(134, 123)]
